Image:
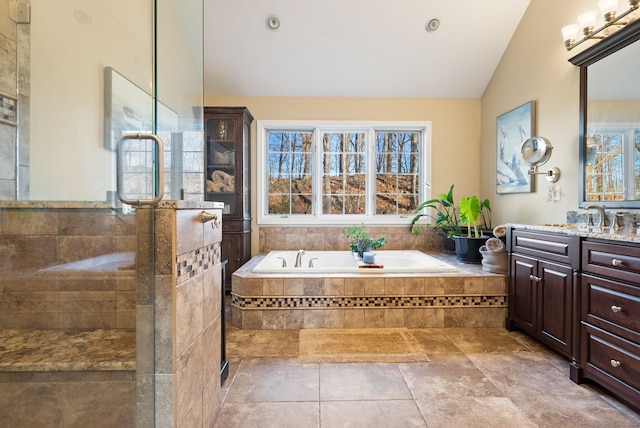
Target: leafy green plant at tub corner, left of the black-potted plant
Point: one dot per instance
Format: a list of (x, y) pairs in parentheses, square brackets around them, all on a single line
[(445, 218)]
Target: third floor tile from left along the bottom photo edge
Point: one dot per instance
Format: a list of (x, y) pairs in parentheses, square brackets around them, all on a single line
[(483, 412)]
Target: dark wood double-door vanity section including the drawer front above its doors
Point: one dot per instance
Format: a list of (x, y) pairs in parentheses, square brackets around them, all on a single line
[(542, 286)]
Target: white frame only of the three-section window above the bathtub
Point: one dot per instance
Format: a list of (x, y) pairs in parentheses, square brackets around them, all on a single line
[(318, 127)]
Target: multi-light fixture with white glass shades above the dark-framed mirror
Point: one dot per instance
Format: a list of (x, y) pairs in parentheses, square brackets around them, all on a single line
[(587, 22)]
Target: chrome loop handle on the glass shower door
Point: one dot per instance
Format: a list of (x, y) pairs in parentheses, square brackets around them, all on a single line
[(158, 169)]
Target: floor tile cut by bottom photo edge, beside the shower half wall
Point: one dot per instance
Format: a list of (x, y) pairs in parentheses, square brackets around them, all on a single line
[(269, 415)]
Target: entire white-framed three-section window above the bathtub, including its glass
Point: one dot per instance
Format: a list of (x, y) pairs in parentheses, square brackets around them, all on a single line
[(341, 172)]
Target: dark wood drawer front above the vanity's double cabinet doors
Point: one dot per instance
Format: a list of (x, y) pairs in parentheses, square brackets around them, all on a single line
[(550, 246)]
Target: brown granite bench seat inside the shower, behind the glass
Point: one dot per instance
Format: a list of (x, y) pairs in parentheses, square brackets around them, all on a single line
[(67, 350)]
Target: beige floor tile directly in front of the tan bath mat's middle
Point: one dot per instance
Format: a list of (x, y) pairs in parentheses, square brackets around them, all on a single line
[(362, 382)]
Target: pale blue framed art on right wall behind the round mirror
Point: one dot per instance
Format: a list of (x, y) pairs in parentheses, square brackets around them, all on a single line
[(514, 128)]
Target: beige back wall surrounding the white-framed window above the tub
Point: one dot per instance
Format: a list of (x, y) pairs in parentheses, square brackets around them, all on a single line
[(455, 147)]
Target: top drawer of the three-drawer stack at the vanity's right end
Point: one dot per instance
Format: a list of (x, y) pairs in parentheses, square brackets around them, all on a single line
[(616, 261)]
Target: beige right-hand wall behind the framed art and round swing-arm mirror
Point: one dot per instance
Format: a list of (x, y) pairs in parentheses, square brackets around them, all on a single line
[(535, 67)]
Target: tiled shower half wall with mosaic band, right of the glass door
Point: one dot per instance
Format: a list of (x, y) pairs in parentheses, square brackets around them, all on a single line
[(188, 321)]
